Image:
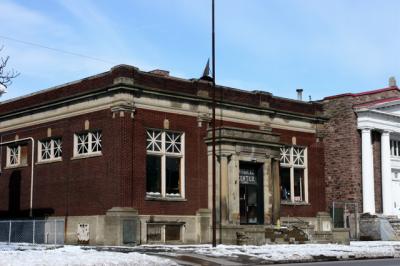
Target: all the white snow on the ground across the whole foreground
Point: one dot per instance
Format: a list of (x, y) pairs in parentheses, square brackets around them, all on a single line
[(27, 254)]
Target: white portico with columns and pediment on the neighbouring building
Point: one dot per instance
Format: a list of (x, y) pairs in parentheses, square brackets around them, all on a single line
[(385, 119)]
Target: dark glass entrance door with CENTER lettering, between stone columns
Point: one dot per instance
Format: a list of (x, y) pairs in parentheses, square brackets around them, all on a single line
[(251, 193)]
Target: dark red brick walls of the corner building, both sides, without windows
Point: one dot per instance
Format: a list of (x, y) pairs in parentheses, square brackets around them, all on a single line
[(91, 186)]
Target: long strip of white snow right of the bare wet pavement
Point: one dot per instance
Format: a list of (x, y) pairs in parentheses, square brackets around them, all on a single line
[(303, 252)]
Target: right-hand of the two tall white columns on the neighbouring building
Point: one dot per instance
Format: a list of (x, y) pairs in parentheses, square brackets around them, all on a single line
[(386, 174)]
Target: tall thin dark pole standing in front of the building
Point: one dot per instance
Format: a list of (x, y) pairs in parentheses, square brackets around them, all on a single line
[(214, 233)]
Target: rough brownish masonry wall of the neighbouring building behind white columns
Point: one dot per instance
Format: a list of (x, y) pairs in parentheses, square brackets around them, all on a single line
[(342, 143)]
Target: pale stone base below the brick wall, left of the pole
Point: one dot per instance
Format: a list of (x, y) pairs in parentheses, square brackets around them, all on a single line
[(124, 226)]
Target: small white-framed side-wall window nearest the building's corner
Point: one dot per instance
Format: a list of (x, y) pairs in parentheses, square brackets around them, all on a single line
[(87, 143)]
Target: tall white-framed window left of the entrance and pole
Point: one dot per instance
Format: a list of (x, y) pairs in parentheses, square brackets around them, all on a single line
[(165, 163)]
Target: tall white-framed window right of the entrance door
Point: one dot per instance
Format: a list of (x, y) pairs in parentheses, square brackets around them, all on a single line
[(293, 174)]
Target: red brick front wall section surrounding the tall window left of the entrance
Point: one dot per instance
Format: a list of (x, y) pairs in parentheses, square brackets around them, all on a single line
[(196, 174)]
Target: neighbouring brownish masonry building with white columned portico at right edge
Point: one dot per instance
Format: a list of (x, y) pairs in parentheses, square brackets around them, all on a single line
[(361, 140)]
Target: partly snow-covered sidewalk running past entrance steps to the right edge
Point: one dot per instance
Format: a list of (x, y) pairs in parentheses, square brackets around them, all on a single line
[(272, 254)]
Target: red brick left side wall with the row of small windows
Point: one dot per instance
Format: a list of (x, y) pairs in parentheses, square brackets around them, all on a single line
[(78, 187)]
